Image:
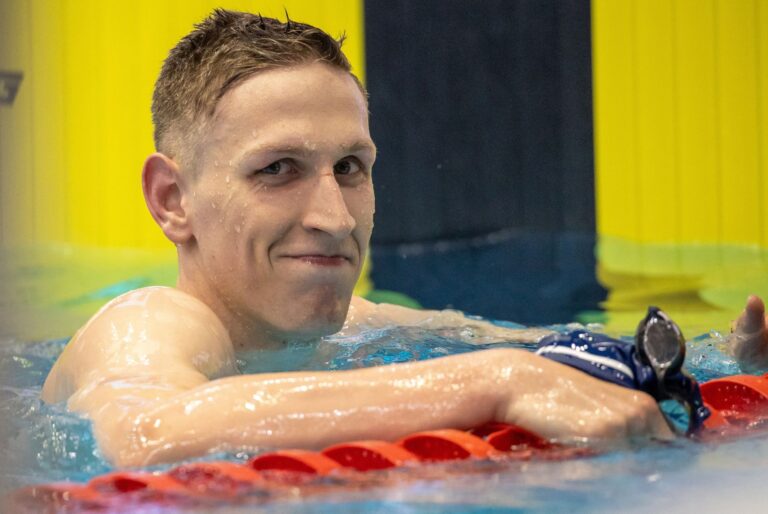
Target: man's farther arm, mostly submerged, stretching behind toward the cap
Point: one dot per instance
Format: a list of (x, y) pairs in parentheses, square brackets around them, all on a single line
[(368, 314)]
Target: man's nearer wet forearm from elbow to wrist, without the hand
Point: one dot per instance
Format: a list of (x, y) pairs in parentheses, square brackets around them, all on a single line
[(313, 411)]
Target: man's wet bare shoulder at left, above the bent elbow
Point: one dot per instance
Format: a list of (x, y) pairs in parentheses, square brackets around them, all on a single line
[(143, 332)]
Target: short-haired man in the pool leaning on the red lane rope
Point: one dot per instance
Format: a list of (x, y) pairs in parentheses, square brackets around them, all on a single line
[(262, 180)]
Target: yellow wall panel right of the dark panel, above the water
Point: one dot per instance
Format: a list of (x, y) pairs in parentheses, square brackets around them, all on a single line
[(681, 120)]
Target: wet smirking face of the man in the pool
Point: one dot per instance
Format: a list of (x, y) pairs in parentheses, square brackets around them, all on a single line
[(281, 206)]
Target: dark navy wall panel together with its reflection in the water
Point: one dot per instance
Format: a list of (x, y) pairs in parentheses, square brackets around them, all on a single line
[(482, 112)]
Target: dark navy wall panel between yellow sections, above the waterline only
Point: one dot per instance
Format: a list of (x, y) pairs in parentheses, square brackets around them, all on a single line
[(482, 113)]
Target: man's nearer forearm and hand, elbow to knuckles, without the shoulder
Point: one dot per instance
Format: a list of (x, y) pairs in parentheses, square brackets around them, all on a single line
[(314, 410)]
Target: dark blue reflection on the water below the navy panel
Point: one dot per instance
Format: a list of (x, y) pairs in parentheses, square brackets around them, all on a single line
[(530, 278)]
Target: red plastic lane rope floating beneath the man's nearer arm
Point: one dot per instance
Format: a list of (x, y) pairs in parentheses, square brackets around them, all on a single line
[(738, 403)]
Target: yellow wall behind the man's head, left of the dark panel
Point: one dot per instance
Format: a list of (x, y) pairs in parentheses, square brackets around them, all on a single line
[(73, 143)]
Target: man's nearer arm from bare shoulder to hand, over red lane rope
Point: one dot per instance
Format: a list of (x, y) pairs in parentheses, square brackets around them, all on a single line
[(145, 370)]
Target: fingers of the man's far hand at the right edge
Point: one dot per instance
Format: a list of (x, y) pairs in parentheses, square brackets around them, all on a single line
[(748, 341)]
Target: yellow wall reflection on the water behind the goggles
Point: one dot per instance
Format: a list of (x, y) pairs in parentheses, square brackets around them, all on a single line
[(703, 287)]
